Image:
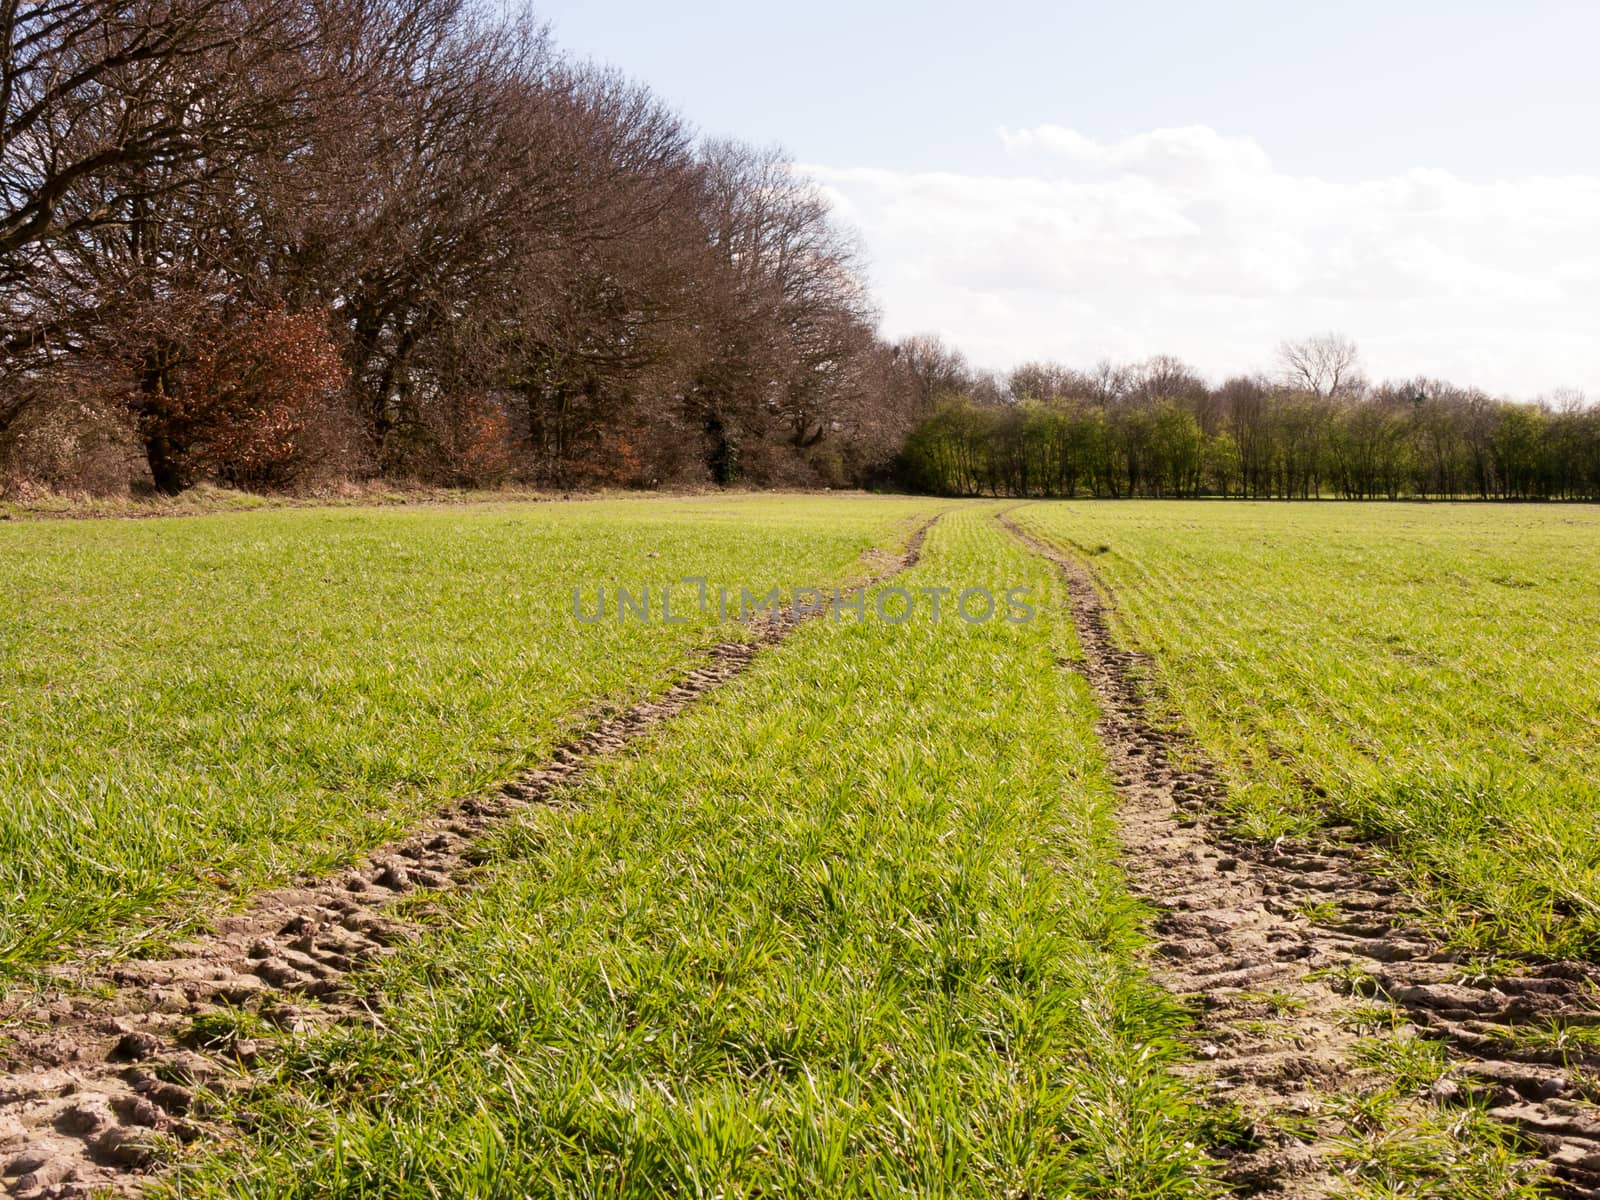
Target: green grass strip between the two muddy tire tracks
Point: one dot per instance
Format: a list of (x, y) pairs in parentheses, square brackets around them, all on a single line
[(852, 927)]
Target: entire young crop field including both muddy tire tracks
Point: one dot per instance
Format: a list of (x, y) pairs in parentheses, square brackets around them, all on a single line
[(1090, 850)]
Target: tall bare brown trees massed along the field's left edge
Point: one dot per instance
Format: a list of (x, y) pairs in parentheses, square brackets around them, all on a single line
[(268, 242)]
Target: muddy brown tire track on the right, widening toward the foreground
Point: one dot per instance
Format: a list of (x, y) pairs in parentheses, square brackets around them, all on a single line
[(1292, 950)]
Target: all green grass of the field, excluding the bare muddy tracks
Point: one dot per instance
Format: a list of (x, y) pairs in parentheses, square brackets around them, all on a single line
[(854, 924)]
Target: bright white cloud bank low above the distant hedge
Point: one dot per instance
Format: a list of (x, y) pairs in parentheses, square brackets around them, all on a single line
[(1191, 242)]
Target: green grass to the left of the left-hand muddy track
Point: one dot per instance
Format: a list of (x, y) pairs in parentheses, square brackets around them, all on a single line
[(193, 708)]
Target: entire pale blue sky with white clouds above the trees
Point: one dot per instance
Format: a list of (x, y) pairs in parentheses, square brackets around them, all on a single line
[(1066, 180)]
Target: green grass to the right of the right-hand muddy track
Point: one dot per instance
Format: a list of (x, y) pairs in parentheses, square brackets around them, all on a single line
[(1422, 674)]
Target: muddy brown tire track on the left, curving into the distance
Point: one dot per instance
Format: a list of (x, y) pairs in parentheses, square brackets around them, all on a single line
[(105, 1073)]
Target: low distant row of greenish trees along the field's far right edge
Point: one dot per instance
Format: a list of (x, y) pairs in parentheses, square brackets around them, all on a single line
[(1316, 428)]
